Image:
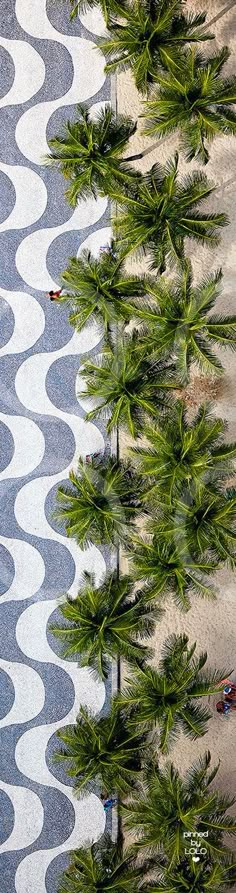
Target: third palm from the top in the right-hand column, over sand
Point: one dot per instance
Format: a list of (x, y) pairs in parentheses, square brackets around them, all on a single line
[(161, 211)]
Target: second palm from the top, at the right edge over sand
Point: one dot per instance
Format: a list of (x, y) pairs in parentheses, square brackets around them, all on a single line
[(196, 101)]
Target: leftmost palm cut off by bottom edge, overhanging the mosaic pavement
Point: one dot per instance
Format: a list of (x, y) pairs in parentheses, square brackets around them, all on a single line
[(103, 867)]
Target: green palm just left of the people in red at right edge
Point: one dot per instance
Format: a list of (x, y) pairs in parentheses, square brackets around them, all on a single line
[(167, 697)]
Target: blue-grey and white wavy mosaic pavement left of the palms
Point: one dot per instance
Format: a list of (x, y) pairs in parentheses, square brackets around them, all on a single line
[(47, 65)]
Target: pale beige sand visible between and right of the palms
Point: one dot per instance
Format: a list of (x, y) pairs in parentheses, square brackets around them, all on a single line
[(211, 624)]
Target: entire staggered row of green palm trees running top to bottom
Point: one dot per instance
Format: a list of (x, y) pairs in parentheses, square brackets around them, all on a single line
[(171, 504)]
